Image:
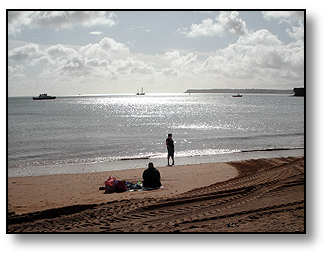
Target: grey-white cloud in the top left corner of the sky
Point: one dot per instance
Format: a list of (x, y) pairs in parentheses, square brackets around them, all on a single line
[(18, 20)]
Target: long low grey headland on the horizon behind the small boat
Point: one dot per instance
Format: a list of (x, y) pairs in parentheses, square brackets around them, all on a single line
[(242, 91)]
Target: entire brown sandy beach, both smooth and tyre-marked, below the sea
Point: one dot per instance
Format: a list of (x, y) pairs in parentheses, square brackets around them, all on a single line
[(262, 195)]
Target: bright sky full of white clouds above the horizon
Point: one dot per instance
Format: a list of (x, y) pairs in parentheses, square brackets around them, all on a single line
[(118, 52)]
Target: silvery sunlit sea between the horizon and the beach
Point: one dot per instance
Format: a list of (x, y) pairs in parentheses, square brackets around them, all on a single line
[(80, 134)]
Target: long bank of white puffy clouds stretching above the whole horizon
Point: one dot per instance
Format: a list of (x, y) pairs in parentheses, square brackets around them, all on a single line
[(258, 59)]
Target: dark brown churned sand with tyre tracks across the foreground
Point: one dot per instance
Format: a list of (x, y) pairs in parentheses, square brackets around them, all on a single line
[(259, 198)]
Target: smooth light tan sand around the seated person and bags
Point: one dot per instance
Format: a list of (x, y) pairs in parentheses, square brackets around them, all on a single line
[(31, 194)]
